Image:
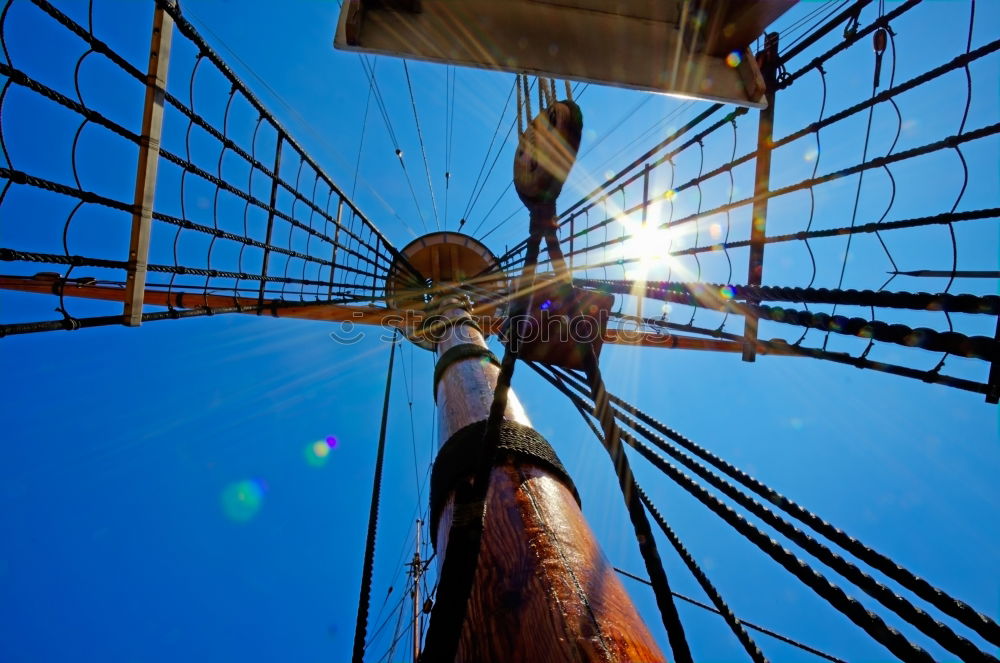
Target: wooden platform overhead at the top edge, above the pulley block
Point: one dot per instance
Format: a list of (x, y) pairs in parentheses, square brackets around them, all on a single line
[(693, 48)]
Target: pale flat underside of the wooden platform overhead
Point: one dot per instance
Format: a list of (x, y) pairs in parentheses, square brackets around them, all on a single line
[(576, 43)]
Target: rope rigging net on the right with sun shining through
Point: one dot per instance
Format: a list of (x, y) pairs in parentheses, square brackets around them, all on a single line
[(872, 254)]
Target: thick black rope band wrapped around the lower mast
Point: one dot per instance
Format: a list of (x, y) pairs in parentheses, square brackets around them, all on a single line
[(463, 452)]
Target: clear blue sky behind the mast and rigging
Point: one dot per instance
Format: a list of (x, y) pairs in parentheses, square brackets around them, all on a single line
[(124, 448)]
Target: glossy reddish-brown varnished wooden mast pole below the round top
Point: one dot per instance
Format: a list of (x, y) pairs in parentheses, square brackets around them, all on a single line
[(543, 590)]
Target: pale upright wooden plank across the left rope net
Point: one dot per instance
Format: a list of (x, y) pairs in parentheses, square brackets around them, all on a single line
[(146, 168)]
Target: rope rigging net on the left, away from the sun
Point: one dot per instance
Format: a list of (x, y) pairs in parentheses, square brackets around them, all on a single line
[(243, 218)]
